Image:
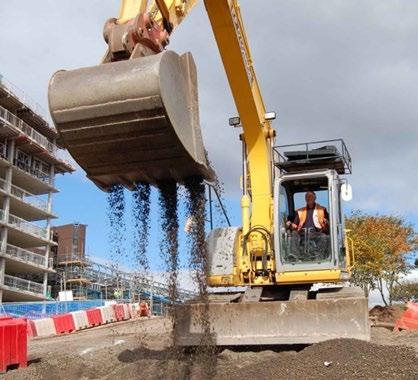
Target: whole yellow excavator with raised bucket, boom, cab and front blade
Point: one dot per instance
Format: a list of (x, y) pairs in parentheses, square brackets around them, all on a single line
[(135, 118)]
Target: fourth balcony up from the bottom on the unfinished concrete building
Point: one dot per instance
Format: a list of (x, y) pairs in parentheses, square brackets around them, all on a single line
[(24, 204)]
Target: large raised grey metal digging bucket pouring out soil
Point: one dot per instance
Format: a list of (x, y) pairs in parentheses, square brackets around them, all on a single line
[(131, 121)]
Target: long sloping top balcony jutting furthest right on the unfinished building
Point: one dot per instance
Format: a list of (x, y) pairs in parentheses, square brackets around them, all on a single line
[(31, 141)]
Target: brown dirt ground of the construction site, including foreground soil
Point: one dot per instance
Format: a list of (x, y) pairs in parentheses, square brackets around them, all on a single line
[(140, 349)]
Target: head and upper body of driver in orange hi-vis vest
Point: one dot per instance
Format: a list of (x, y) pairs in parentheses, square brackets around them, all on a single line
[(312, 217)]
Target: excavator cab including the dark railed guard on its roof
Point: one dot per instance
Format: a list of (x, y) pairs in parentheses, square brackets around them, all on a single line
[(321, 246)]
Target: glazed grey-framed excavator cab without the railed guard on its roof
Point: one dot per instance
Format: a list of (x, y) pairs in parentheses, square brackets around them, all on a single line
[(314, 246)]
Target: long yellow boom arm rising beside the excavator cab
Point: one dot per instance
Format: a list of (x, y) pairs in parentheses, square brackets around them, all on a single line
[(225, 18)]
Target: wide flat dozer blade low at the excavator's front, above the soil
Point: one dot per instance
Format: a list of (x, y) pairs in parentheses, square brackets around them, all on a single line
[(273, 323)]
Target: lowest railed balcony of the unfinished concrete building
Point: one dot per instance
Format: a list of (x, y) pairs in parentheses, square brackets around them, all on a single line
[(19, 289)]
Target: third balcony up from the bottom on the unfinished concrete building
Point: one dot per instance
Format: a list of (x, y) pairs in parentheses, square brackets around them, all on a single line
[(23, 233)]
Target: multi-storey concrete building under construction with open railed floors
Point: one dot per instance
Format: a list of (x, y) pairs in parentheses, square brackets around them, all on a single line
[(30, 157)]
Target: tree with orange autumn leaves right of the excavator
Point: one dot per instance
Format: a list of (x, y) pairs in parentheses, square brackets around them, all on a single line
[(381, 244)]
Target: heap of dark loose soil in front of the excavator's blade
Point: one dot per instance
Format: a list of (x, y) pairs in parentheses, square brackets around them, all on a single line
[(335, 359)]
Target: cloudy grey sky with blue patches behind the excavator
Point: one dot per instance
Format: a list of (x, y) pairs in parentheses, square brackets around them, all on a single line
[(330, 69)]
